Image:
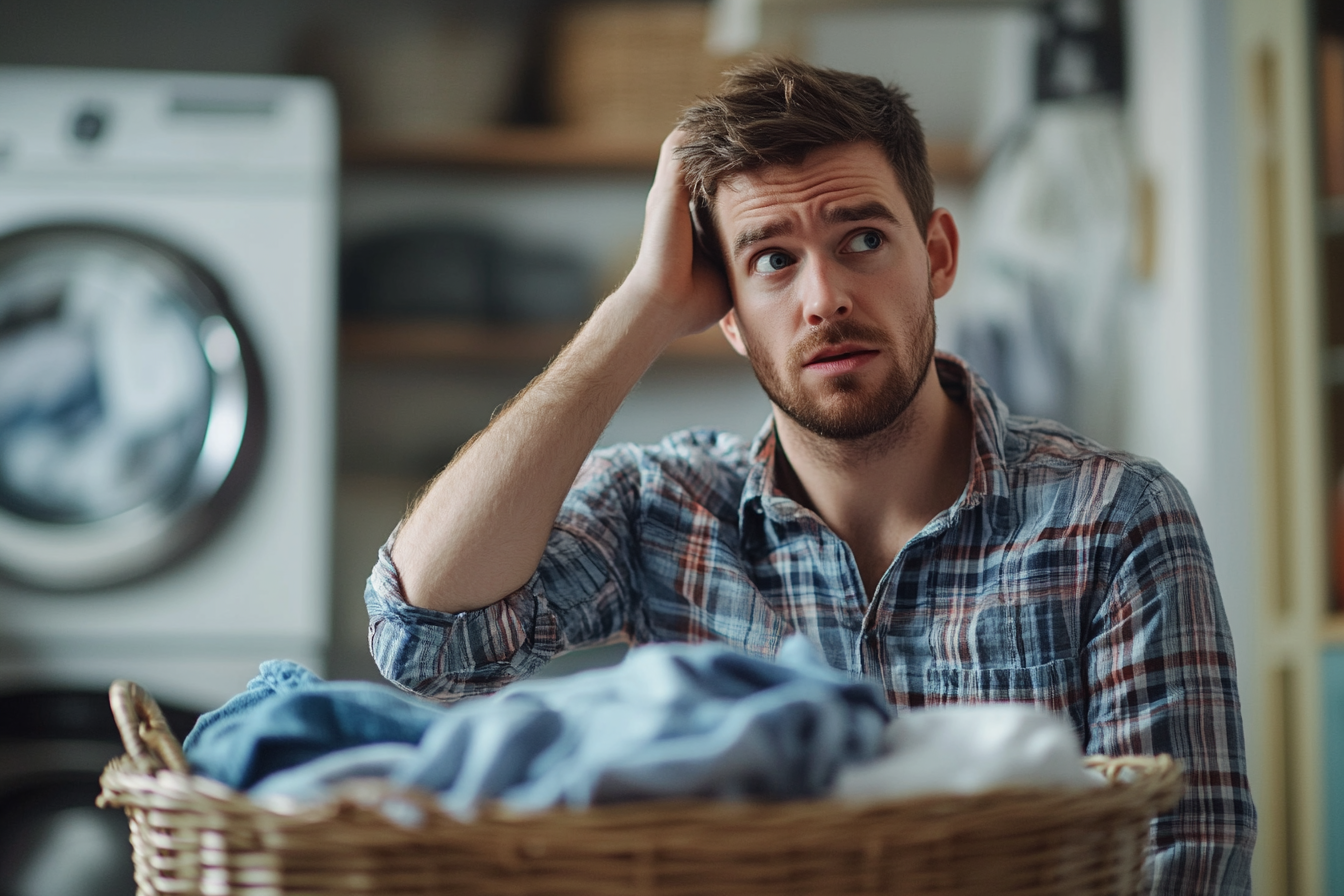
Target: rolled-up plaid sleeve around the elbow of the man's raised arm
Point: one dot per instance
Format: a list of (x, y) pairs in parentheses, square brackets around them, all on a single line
[(580, 596)]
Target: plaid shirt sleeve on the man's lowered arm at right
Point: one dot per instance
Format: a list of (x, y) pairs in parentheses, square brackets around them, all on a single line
[(1163, 679)]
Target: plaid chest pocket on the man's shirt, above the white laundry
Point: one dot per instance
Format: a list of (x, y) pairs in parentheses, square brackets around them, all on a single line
[(1053, 686)]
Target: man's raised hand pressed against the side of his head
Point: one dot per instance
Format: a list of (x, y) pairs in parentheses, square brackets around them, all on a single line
[(677, 281)]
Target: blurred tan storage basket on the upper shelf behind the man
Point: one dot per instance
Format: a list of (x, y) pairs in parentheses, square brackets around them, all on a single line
[(632, 66)]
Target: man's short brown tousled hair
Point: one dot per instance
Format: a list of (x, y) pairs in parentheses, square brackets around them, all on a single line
[(775, 111)]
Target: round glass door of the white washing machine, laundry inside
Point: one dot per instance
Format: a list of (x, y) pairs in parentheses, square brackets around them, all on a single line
[(131, 406)]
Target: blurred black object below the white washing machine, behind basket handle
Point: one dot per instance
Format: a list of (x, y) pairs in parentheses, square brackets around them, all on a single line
[(53, 840)]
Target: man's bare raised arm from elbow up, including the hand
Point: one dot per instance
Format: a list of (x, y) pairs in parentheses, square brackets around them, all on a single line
[(479, 533)]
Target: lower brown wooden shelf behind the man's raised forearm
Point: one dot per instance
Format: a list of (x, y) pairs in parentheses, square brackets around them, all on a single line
[(460, 343)]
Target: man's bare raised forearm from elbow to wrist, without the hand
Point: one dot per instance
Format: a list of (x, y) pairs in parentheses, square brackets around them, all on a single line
[(480, 530)]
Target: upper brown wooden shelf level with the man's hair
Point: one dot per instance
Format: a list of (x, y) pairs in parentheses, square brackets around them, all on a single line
[(564, 150)]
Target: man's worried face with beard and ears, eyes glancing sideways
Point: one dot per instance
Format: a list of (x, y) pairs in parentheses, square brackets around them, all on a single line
[(833, 288)]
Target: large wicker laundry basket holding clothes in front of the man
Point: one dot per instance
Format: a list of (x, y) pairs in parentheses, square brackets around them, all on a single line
[(197, 836)]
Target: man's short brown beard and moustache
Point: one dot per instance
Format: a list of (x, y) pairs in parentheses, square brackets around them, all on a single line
[(842, 412)]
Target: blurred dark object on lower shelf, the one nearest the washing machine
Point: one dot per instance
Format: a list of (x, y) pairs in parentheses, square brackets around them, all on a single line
[(436, 271)]
